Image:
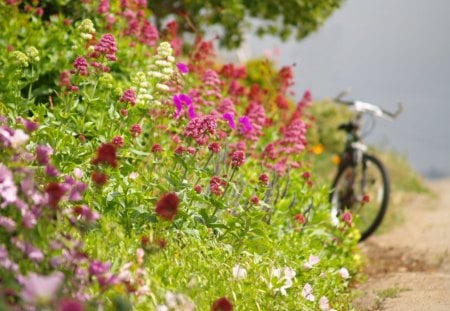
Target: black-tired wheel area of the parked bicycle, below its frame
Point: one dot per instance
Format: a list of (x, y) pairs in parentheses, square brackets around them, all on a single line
[(362, 189)]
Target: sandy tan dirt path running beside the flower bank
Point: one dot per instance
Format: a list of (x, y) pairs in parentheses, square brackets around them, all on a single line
[(409, 266)]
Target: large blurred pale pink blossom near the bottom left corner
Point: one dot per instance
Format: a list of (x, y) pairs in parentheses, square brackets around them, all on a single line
[(40, 289)]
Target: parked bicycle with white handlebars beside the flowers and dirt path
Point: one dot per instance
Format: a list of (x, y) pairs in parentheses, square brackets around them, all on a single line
[(362, 183)]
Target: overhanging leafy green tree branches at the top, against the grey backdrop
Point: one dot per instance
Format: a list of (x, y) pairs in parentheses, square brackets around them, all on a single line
[(283, 19)]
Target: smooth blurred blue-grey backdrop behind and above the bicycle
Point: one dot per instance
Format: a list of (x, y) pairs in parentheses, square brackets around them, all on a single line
[(387, 51)]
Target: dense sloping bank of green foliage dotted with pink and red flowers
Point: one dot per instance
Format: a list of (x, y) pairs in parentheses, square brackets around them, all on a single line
[(273, 229)]
